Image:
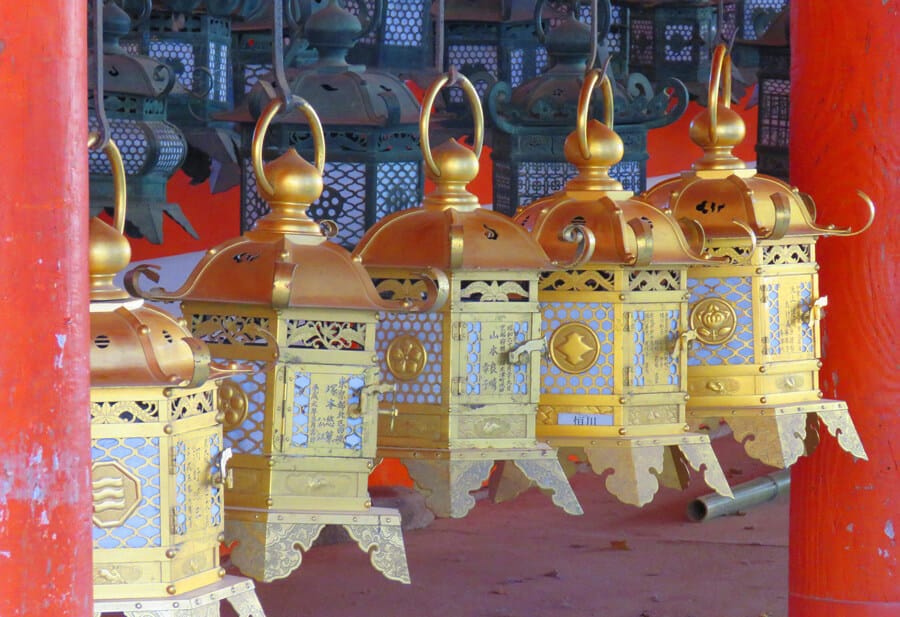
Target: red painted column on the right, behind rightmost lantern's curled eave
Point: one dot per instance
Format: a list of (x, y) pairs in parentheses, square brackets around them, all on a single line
[(845, 135)]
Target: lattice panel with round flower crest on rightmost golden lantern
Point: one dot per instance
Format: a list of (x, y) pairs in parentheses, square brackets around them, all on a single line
[(724, 321)]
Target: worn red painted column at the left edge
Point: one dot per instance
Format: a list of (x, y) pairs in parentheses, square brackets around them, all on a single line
[(45, 498)]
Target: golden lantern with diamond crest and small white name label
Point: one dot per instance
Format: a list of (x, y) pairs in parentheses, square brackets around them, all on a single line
[(613, 382)]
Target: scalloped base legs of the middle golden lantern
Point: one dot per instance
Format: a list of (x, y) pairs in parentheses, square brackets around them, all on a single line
[(447, 478)]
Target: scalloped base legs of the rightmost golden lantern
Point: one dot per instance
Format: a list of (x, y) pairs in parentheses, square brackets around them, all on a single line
[(778, 436)]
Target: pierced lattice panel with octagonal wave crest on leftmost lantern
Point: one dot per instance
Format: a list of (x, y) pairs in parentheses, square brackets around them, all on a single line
[(138, 458)]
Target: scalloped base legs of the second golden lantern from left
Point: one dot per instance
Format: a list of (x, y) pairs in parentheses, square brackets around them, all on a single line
[(270, 543)]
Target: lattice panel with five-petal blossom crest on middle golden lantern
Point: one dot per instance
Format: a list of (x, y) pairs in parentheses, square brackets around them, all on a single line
[(411, 352)]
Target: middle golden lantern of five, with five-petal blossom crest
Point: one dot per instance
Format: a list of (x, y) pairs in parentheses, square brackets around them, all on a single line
[(466, 375)]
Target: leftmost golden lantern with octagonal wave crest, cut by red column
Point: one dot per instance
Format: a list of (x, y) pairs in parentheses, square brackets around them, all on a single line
[(158, 465)]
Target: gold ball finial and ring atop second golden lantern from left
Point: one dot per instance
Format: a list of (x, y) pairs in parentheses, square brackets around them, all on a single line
[(289, 183)]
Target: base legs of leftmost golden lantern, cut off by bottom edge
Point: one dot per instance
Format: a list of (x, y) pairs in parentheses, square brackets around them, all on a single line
[(204, 602)]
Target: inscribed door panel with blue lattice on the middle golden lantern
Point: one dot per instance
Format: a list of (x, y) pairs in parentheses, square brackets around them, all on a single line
[(486, 369)]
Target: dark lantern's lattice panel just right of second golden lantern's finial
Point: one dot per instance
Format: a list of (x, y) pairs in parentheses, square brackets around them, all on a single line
[(343, 201)]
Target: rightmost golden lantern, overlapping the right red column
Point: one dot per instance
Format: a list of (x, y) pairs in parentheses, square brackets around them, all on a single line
[(755, 360)]
